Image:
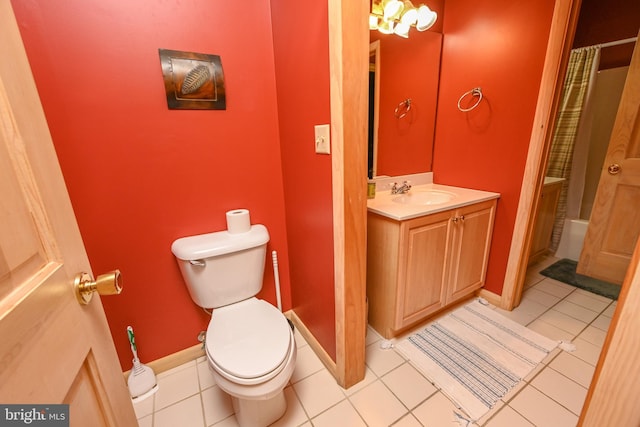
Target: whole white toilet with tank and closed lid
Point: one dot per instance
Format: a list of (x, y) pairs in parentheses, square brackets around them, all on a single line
[(249, 343)]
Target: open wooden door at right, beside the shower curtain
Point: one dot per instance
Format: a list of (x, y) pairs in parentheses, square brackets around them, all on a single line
[(614, 225)]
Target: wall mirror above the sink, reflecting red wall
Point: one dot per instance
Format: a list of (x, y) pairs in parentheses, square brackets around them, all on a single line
[(403, 94)]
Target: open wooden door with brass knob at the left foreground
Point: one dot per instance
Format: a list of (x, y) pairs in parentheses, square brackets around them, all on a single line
[(53, 350)]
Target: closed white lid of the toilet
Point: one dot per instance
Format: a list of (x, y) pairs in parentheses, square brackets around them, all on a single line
[(248, 339)]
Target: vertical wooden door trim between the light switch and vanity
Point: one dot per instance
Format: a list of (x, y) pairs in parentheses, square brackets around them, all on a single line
[(348, 59)]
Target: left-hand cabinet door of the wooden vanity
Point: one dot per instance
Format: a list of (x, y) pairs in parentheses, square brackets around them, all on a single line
[(422, 273)]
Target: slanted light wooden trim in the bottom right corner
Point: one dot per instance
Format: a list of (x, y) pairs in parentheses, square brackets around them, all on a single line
[(611, 400)]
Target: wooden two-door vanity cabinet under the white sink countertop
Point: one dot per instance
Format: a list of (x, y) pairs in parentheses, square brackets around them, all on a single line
[(419, 266)]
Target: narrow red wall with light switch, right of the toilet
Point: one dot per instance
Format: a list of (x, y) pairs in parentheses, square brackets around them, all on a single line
[(302, 78)]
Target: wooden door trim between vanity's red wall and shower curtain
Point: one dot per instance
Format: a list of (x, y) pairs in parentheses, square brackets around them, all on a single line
[(565, 18)]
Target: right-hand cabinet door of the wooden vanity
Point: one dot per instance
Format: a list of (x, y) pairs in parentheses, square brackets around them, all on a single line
[(472, 227)]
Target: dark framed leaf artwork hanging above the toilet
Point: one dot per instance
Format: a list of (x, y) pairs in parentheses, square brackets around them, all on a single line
[(193, 81)]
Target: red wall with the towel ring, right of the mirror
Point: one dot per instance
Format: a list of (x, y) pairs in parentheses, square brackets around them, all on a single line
[(498, 45)]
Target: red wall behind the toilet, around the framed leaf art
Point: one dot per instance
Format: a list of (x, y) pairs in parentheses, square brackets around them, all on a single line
[(140, 175)]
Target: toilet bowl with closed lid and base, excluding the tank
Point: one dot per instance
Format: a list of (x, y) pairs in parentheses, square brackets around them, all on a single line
[(254, 370)]
